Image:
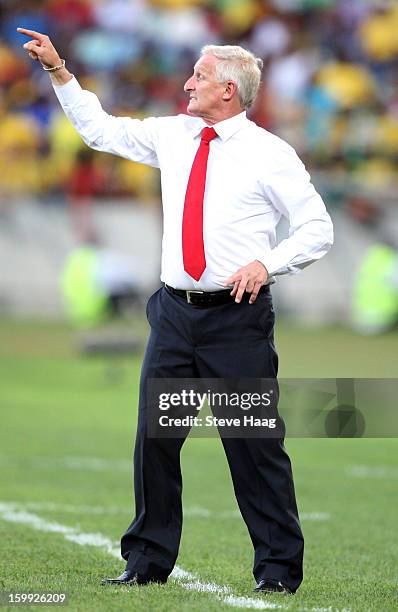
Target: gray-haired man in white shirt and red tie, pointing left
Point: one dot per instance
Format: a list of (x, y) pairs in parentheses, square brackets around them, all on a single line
[(224, 189)]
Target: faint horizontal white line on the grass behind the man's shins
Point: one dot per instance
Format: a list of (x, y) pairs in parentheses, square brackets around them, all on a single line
[(193, 511)]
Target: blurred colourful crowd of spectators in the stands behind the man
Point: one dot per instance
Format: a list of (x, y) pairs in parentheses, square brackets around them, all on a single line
[(329, 84)]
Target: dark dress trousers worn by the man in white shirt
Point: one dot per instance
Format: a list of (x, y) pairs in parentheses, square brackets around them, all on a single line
[(227, 341)]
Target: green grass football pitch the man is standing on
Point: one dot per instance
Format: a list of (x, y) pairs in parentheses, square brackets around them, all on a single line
[(66, 440)]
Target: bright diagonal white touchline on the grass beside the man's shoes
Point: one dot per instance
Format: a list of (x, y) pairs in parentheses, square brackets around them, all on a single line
[(187, 580)]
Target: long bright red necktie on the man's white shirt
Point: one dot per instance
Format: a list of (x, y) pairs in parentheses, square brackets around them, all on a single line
[(193, 250)]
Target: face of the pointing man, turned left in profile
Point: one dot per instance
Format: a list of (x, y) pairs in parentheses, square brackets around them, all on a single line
[(205, 92)]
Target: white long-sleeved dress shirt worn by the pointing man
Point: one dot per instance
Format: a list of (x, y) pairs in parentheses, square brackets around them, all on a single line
[(253, 177)]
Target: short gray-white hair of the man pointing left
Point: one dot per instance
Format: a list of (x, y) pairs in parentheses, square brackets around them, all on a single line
[(238, 65)]
